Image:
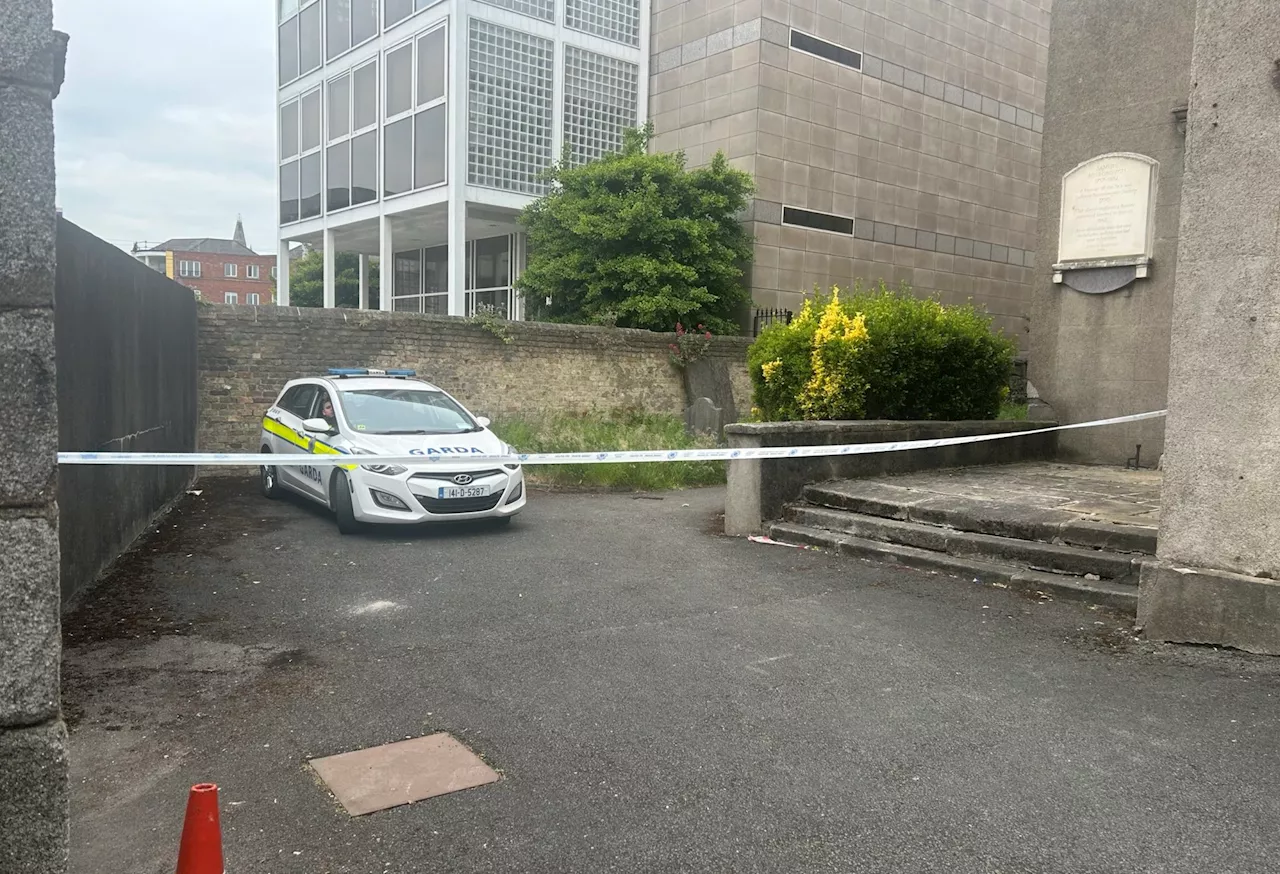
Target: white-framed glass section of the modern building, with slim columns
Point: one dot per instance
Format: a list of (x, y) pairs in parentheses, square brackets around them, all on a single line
[(415, 131)]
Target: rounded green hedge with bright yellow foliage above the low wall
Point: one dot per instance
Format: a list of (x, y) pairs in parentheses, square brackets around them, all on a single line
[(881, 354)]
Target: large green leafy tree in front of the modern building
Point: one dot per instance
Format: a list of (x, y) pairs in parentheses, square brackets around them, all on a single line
[(639, 241)]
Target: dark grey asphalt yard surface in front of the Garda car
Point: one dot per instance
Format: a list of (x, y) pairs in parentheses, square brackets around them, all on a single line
[(657, 699)]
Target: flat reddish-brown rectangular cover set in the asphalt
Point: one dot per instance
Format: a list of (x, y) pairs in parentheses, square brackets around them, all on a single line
[(399, 774)]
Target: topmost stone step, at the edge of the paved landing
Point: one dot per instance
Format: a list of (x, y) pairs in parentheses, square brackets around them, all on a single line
[(1002, 520)]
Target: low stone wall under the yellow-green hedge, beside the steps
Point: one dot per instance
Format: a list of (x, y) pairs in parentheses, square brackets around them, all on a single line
[(758, 489)]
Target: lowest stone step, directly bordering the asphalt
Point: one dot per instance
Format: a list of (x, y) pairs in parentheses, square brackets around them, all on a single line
[(1112, 596)]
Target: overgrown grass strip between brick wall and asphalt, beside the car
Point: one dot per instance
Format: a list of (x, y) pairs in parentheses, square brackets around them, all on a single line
[(607, 433)]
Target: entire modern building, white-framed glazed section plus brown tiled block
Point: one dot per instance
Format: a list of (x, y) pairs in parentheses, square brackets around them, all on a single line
[(895, 140)]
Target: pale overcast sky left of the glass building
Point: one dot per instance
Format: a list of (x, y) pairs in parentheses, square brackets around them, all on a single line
[(166, 123)]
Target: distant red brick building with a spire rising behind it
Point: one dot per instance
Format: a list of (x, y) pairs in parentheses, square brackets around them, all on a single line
[(217, 271)]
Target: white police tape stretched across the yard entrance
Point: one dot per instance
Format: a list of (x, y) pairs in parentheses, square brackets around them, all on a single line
[(295, 460)]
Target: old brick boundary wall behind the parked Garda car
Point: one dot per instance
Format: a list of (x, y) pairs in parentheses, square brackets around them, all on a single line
[(248, 354)]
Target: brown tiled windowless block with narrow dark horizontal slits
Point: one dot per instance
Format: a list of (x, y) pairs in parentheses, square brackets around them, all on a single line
[(932, 148)]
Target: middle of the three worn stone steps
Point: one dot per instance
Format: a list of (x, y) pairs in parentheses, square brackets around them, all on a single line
[(1032, 555)]
